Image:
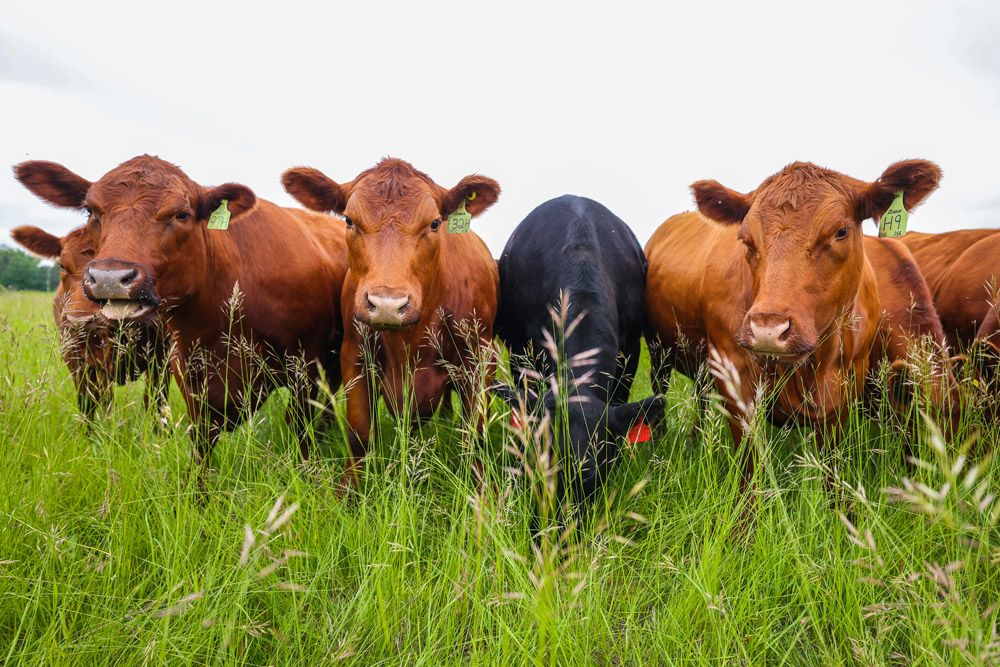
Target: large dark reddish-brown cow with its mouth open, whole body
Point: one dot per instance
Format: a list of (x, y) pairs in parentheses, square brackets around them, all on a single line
[(245, 305)]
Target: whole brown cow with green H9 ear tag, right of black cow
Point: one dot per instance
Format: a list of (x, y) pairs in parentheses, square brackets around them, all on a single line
[(788, 290)]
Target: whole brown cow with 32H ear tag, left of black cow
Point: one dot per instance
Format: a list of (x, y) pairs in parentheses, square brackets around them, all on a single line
[(415, 286)]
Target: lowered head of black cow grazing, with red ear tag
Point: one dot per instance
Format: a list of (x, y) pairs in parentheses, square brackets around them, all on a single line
[(583, 430)]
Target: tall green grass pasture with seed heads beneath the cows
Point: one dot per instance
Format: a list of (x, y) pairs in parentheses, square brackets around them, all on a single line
[(110, 556)]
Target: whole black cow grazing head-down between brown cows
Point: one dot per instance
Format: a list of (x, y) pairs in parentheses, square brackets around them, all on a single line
[(575, 248)]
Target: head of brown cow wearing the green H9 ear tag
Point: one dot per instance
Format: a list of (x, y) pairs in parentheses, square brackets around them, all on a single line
[(802, 232)]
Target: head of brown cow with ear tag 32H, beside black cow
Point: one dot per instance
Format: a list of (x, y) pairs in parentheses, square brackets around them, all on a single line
[(395, 221)]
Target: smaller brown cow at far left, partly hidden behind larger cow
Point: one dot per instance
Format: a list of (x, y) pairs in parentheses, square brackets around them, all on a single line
[(97, 352)]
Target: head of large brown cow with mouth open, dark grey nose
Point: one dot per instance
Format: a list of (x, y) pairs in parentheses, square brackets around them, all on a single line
[(147, 222)]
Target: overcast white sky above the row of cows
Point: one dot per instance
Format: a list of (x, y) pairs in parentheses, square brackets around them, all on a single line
[(626, 103)]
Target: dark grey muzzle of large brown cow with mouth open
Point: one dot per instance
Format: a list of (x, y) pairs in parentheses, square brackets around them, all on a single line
[(122, 289)]
